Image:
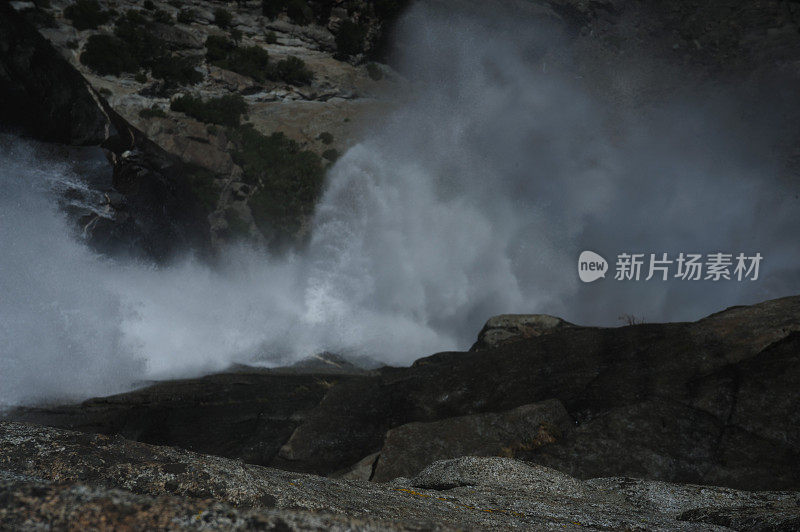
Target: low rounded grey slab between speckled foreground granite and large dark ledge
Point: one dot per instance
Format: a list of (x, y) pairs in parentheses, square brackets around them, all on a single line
[(410, 448)]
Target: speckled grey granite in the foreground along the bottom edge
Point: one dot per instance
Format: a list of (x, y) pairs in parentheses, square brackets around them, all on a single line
[(74, 480)]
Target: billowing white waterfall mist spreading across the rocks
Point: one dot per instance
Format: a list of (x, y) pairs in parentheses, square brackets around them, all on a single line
[(474, 199)]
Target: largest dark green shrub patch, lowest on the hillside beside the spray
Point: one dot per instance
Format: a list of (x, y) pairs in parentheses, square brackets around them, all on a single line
[(289, 181)]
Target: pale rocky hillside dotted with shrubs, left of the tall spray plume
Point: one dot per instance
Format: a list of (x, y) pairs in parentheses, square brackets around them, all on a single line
[(253, 100)]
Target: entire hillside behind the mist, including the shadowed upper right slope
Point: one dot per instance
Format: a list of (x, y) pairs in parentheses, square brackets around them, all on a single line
[(249, 102)]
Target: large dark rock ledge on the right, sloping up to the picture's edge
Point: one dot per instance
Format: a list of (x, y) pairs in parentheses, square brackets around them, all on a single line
[(644, 376)]
